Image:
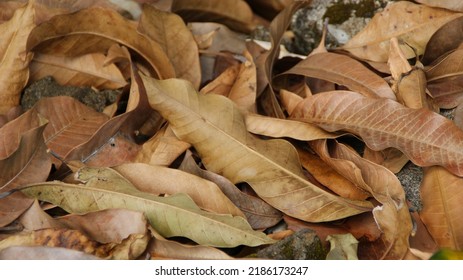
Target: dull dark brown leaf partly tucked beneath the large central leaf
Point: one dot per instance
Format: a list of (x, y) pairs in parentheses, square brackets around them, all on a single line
[(259, 214)]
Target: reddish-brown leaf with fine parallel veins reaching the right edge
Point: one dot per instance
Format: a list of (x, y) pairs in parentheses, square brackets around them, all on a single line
[(427, 138)]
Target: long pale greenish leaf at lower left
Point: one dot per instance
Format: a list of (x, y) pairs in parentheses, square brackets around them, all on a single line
[(171, 216)]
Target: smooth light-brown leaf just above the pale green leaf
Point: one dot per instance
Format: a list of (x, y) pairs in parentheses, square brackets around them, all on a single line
[(159, 180)]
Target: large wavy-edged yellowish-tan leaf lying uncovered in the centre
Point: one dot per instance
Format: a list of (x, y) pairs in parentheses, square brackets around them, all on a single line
[(215, 127)]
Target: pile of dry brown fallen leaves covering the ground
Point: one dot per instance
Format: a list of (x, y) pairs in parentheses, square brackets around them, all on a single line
[(215, 147)]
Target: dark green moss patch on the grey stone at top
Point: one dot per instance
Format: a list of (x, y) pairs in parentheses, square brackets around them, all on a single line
[(340, 12)]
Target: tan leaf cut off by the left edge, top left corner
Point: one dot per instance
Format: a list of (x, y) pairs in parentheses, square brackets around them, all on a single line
[(14, 57)]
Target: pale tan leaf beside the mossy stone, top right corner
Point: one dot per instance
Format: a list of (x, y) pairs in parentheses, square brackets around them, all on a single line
[(412, 24)]
